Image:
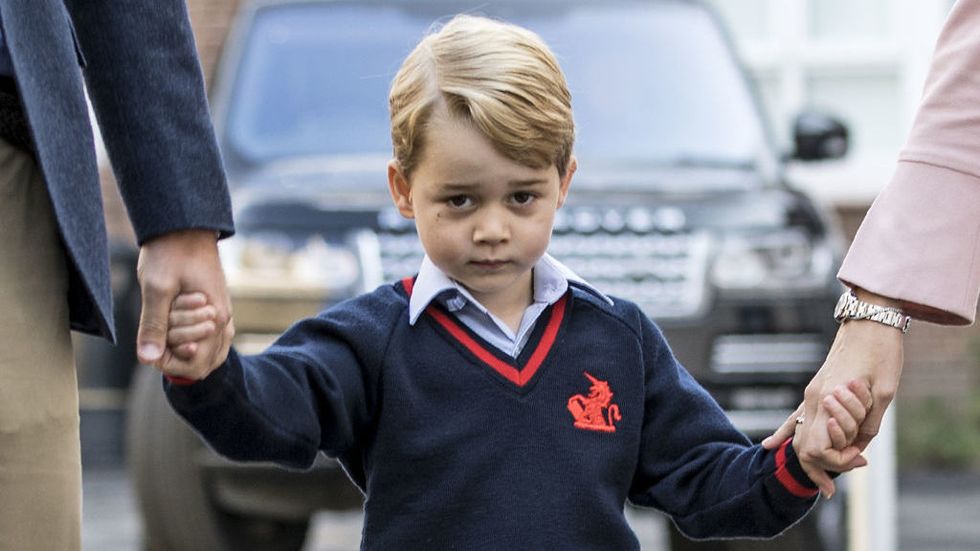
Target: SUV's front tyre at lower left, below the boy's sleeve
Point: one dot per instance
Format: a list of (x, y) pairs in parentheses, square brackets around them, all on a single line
[(174, 489)]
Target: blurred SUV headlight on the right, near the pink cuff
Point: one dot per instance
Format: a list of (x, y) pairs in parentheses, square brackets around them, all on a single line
[(785, 260)]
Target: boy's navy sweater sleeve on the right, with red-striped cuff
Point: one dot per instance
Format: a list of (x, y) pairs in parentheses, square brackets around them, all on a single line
[(699, 469)]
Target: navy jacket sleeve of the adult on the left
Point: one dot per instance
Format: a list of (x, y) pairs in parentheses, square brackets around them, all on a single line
[(146, 87)]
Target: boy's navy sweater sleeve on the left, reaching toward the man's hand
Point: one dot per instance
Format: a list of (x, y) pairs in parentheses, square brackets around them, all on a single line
[(314, 389)]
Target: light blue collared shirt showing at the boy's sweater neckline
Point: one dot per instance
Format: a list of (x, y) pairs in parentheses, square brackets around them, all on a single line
[(550, 282)]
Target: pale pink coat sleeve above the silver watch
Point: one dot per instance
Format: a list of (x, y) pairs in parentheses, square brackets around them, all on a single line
[(920, 242)]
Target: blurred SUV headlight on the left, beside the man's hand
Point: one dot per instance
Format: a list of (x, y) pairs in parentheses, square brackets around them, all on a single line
[(271, 264)]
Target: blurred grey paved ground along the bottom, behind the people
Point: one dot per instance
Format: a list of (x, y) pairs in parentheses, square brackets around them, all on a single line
[(937, 512)]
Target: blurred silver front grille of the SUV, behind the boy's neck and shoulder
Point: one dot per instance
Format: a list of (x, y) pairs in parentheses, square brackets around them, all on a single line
[(625, 252)]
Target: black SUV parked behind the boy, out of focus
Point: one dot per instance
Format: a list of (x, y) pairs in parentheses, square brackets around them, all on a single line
[(679, 203)]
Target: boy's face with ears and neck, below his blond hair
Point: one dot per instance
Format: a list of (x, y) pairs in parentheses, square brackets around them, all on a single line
[(483, 219)]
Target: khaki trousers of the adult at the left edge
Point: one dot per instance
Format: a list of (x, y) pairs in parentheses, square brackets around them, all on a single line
[(40, 465)]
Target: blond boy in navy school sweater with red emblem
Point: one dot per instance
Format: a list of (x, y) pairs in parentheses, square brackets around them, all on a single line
[(496, 400)]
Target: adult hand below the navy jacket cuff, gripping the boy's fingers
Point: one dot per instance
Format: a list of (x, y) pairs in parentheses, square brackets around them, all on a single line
[(181, 262)]
